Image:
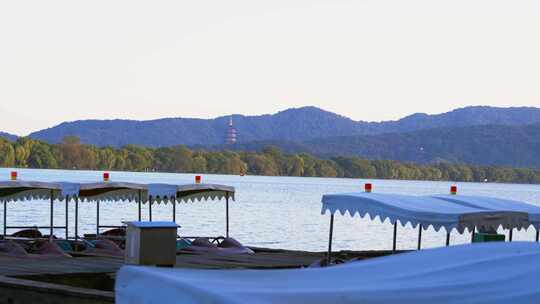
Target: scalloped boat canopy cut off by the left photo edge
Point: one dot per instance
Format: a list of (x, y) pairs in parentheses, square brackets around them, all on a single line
[(27, 190)]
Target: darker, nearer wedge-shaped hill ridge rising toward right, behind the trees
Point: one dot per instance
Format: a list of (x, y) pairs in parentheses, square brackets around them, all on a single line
[(515, 146)]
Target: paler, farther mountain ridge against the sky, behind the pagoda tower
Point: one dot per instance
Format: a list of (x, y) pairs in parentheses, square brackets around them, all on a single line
[(295, 125)]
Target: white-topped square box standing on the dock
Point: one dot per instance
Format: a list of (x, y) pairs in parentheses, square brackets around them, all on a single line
[(151, 243)]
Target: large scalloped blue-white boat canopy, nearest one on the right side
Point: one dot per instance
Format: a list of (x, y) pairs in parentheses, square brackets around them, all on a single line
[(426, 211)]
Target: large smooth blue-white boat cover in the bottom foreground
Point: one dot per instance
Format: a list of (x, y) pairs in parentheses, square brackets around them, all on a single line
[(488, 273)]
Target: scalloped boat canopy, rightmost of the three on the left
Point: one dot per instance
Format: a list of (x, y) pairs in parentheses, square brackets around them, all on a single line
[(189, 193)]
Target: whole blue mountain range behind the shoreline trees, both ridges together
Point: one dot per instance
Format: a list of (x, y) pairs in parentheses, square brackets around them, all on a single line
[(472, 135)]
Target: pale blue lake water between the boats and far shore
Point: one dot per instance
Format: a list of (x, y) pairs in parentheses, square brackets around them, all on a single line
[(275, 212)]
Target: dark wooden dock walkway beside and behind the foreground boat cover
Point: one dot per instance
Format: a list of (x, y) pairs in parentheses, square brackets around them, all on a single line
[(90, 279)]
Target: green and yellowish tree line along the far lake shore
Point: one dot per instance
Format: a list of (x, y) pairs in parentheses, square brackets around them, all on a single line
[(71, 154)]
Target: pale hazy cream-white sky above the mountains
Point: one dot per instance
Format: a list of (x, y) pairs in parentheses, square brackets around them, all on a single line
[(369, 60)]
